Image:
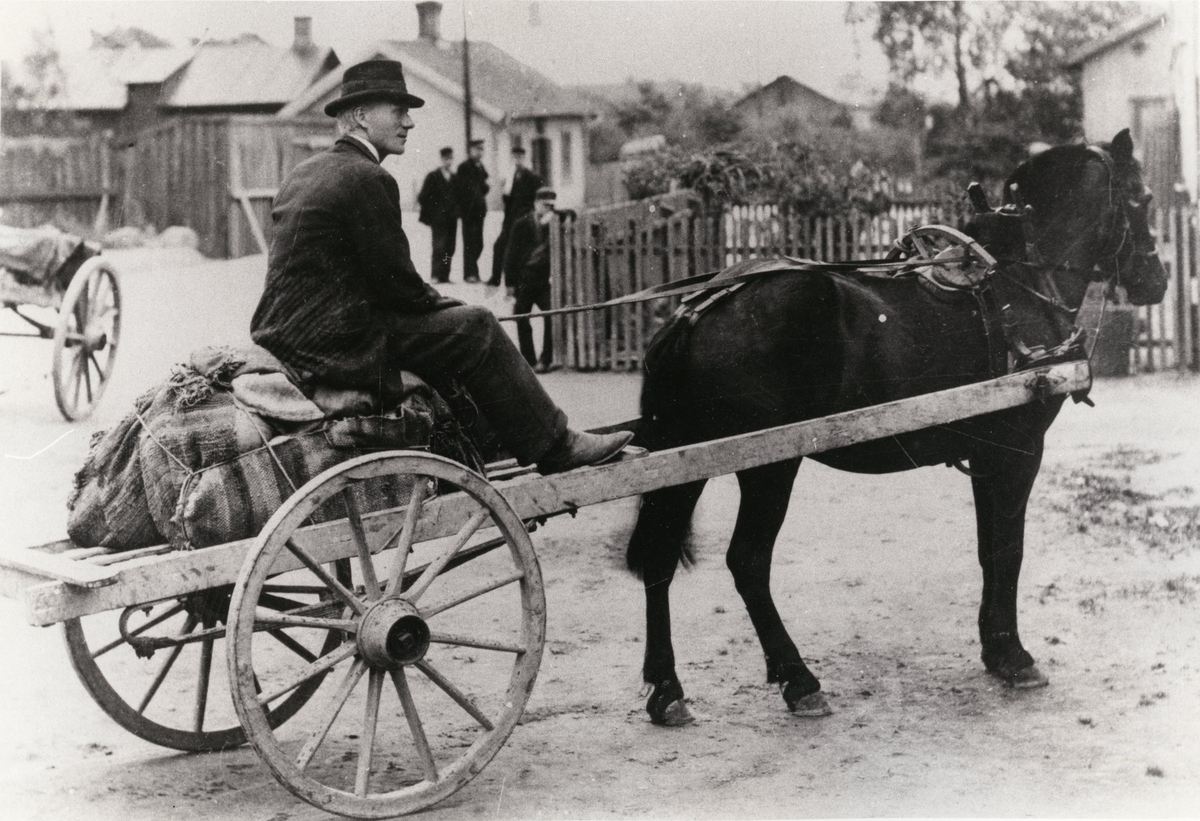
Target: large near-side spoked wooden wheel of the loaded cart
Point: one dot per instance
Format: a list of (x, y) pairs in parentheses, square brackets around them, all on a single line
[(445, 634)]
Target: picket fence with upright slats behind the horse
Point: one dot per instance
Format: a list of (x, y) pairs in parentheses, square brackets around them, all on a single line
[(619, 250)]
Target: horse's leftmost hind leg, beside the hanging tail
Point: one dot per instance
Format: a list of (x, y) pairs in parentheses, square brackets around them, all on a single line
[(658, 544)]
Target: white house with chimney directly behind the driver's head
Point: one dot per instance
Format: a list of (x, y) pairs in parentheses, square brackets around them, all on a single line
[(512, 105)]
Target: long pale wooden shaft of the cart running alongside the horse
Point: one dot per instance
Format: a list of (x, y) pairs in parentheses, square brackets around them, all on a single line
[(155, 578)]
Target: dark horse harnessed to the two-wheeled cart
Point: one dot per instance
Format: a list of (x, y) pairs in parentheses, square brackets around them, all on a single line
[(796, 346)]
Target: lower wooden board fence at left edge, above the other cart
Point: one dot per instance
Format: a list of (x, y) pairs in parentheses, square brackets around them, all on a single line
[(71, 182)]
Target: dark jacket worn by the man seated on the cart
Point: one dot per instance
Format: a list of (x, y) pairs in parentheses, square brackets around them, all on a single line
[(339, 265)]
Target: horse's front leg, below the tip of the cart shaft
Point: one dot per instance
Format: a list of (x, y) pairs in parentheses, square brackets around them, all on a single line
[(1001, 495)]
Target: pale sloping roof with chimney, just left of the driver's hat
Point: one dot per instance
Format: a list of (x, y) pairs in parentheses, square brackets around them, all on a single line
[(247, 73)]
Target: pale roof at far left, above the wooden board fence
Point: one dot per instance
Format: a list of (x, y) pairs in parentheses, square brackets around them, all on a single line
[(97, 80)]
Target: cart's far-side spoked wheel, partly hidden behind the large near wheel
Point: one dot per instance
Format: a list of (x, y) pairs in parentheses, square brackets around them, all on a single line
[(151, 669)]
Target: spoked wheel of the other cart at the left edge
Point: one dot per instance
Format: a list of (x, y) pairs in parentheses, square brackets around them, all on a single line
[(87, 338)]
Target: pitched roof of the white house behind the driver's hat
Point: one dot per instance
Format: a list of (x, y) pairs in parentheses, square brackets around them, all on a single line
[(500, 85)]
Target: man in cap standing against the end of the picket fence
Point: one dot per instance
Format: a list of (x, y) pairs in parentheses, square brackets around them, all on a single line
[(527, 269)]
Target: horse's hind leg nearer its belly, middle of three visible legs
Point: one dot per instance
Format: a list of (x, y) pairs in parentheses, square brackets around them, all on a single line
[(765, 495)]
